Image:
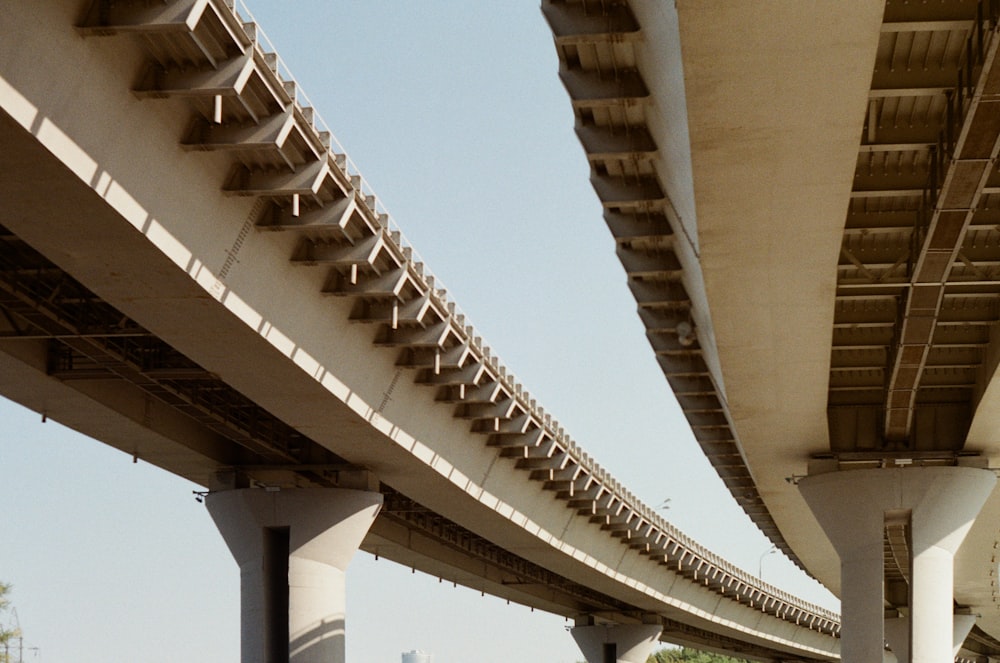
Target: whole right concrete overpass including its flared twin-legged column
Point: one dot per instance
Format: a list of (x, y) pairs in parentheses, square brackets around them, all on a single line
[(804, 201)]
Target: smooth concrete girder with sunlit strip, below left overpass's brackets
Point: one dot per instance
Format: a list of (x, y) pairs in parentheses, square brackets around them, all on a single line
[(89, 166)]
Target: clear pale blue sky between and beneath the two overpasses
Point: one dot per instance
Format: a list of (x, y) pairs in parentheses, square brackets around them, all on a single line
[(454, 112)]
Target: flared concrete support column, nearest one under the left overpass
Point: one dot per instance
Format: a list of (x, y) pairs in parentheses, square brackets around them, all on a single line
[(293, 547)]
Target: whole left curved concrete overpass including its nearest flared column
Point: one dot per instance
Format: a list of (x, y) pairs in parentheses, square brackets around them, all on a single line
[(268, 333)]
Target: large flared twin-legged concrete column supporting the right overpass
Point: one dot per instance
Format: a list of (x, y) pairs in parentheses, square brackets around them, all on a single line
[(940, 505)]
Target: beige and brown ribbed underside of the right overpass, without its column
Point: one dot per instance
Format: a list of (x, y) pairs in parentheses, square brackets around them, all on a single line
[(876, 221)]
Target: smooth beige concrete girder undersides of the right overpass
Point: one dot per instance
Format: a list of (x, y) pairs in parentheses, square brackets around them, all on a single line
[(775, 99)]
